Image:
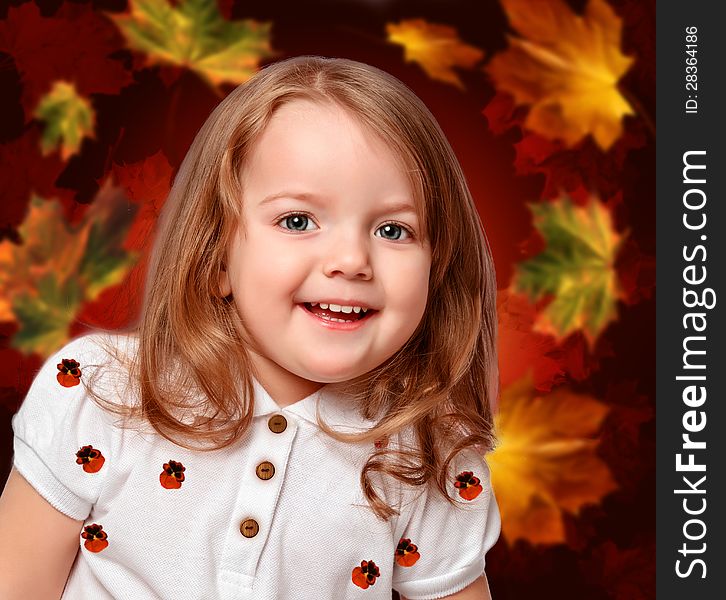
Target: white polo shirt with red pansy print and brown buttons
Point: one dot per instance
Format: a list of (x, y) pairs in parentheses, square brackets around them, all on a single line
[(279, 514)]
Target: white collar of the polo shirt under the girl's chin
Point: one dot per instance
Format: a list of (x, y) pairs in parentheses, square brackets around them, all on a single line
[(337, 409)]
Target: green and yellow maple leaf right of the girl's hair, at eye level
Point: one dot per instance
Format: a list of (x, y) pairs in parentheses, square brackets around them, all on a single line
[(577, 267)]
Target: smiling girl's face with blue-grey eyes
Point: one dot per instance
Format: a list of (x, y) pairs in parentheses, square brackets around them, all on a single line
[(329, 223)]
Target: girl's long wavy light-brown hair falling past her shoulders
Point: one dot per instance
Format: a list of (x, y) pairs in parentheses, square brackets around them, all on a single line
[(441, 383)]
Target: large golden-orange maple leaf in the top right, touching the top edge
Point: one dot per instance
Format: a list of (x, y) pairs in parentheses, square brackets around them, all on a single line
[(566, 67)]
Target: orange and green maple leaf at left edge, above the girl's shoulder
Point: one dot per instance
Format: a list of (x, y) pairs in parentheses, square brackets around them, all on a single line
[(56, 268)]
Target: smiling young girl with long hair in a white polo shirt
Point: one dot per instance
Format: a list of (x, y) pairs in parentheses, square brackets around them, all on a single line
[(304, 408)]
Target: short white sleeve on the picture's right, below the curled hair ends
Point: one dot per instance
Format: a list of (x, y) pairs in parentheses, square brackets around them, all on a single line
[(442, 547)]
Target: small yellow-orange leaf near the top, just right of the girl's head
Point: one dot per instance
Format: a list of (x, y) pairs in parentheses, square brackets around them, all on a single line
[(437, 48)]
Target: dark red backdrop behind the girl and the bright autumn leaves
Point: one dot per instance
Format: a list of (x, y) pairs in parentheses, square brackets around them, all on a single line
[(610, 549)]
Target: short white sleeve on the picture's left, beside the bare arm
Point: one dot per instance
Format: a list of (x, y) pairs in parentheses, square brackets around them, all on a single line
[(62, 438)]
